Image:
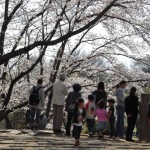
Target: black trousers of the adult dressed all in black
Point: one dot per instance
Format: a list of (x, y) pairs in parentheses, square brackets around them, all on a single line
[(131, 124)]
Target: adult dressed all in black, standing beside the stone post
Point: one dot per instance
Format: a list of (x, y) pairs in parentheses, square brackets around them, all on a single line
[(131, 109)]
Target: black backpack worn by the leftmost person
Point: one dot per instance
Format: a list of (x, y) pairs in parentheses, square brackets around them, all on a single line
[(34, 98)]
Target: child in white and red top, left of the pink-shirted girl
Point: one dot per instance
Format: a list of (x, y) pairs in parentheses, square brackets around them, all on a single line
[(90, 114)]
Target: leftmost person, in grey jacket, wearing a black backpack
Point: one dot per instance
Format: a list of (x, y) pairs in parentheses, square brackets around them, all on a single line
[(36, 104)]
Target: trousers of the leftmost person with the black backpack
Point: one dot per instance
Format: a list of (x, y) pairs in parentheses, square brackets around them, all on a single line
[(35, 115)]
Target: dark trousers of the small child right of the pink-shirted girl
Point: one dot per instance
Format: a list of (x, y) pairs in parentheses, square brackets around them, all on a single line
[(113, 131)]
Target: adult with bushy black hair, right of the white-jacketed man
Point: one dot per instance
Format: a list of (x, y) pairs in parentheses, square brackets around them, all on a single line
[(70, 105)]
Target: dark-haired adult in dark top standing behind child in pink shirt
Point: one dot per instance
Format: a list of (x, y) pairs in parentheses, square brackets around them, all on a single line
[(100, 94)]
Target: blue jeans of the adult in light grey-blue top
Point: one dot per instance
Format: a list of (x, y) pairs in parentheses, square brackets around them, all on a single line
[(120, 121)]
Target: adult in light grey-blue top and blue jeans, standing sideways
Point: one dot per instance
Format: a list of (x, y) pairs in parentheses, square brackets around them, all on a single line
[(120, 108)]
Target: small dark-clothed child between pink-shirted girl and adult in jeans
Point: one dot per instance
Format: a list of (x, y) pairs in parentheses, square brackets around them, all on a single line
[(111, 119)]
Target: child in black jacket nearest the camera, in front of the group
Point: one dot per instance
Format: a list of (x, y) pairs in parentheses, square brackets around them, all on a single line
[(78, 117)]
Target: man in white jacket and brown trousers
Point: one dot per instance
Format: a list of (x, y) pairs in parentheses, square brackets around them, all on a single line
[(58, 102)]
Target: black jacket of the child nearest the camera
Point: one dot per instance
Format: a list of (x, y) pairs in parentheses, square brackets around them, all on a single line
[(76, 115)]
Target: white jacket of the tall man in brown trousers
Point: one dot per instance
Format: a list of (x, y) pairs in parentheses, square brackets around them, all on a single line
[(59, 93)]
